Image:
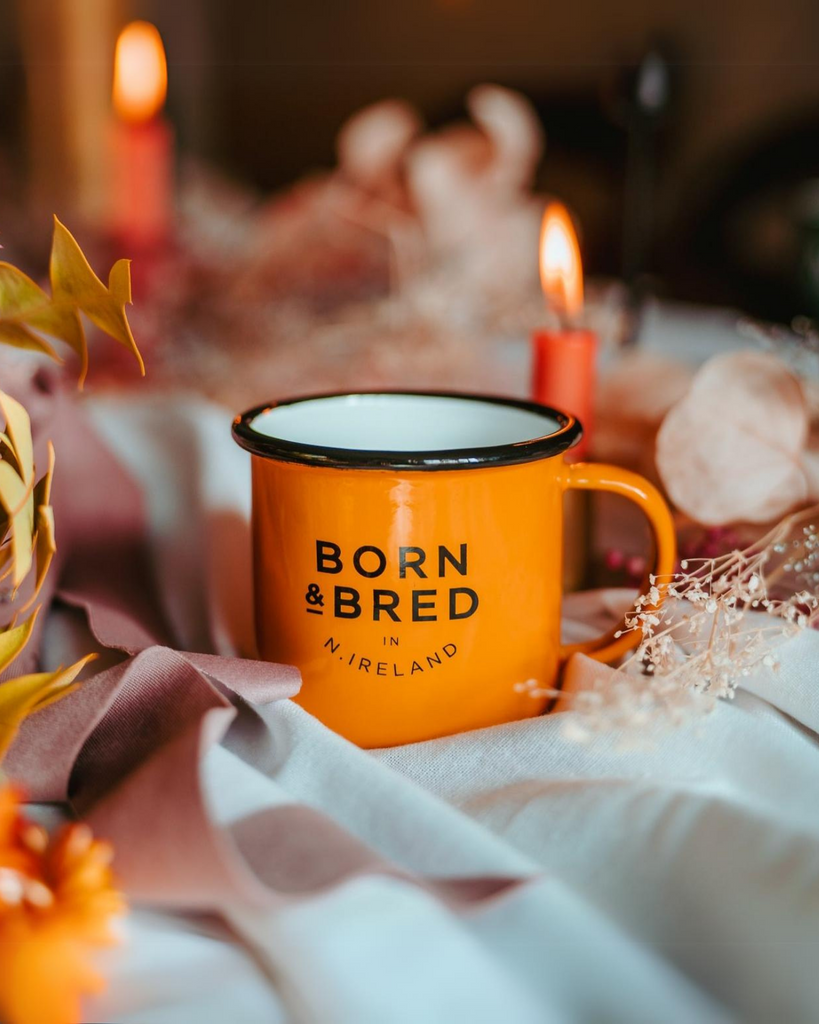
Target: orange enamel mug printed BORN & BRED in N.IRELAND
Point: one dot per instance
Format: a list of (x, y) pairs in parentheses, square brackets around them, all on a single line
[(408, 553)]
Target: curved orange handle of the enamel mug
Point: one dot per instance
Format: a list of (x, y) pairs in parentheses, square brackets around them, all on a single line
[(599, 477)]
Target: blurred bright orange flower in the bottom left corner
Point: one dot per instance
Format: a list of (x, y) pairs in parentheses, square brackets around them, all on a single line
[(57, 905)]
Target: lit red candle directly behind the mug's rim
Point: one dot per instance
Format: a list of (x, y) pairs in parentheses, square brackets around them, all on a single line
[(565, 359)]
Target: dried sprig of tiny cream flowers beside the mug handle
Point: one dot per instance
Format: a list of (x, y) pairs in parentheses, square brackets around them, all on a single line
[(721, 622)]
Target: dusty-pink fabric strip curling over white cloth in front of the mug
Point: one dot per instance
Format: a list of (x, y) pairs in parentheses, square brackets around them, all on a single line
[(130, 745)]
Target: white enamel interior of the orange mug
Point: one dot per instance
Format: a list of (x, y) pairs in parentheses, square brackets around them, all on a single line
[(403, 423)]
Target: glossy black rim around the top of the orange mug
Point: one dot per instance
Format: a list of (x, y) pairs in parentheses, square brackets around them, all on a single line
[(509, 454)]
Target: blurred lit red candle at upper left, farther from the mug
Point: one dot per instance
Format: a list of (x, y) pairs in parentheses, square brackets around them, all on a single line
[(142, 190)]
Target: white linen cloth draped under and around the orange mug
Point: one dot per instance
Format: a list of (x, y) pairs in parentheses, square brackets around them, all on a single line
[(674, 884)]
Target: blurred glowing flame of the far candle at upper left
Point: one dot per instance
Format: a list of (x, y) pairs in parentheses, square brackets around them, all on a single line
[(141, 74)]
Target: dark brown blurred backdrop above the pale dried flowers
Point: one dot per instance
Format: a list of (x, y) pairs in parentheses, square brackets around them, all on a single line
[(684, 136)]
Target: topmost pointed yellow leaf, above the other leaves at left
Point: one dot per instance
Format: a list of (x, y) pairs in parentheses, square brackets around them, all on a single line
[(73, 282)]
